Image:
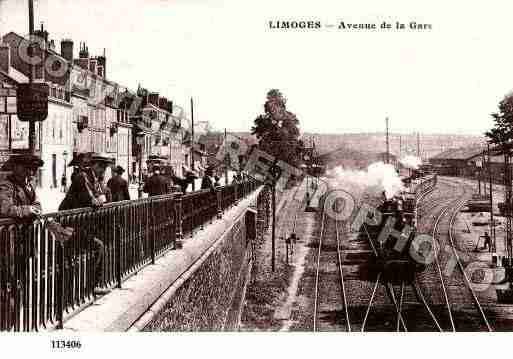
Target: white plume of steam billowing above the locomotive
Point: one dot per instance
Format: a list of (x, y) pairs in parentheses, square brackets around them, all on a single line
[(377, 178)]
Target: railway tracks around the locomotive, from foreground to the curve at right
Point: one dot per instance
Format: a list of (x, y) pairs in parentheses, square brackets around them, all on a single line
[(344, 300)]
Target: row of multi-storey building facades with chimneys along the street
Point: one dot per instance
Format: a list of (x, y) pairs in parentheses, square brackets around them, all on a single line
[(87, 112)]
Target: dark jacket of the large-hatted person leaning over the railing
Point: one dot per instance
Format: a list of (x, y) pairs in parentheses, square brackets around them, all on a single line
[(83, 190)]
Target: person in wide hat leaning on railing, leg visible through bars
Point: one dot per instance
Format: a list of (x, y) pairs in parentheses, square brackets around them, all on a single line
[(87, 190)]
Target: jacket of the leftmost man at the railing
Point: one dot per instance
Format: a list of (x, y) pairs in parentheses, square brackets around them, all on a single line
[(16, 199)]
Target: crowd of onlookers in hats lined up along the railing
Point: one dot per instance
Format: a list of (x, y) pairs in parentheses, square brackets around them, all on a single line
[(18, 198)]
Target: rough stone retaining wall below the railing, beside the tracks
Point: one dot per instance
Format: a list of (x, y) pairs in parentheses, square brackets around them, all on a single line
[(211, 297)]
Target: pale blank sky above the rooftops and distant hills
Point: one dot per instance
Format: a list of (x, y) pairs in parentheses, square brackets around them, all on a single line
[(224, 55)]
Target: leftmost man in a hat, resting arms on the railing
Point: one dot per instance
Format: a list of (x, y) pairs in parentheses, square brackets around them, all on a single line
[(18, 197)]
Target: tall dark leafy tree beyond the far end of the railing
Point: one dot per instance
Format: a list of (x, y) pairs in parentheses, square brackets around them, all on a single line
[(277, 130)]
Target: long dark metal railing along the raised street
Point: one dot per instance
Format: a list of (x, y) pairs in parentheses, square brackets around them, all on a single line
[(43, 282)]
